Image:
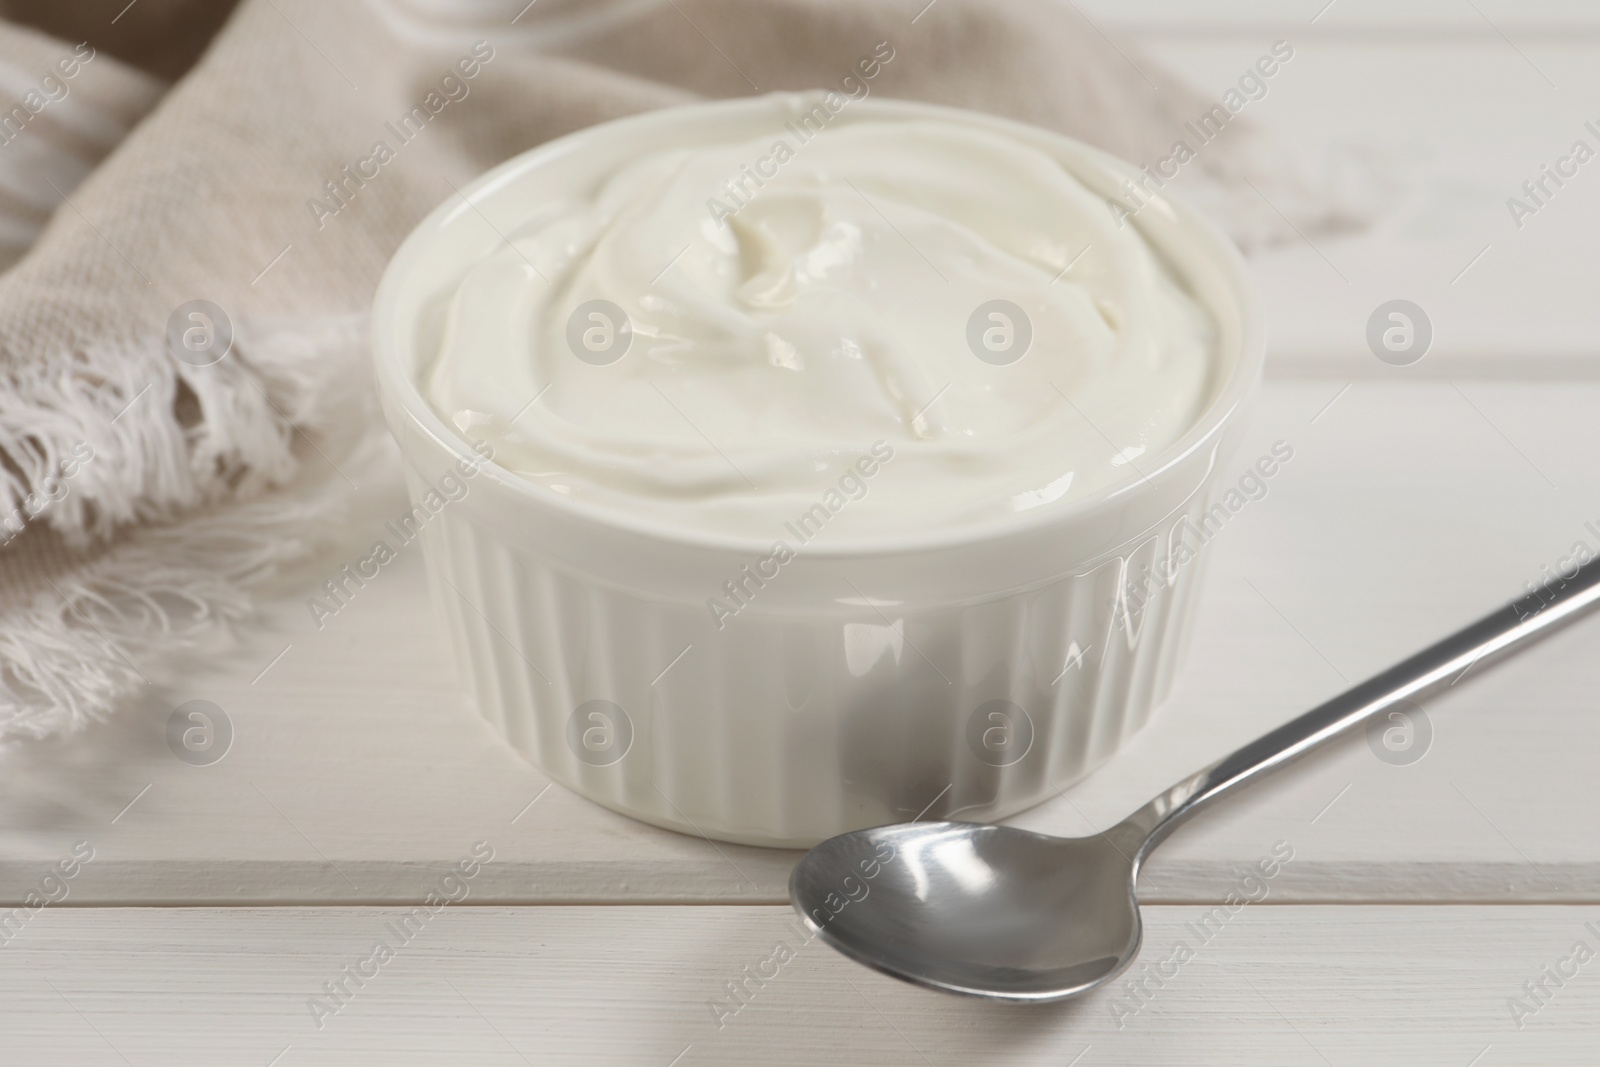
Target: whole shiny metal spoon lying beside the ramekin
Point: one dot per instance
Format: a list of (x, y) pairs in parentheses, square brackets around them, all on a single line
[(1007, 914)]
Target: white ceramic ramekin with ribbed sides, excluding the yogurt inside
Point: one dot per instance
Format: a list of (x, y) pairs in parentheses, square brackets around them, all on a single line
[(967, 674)]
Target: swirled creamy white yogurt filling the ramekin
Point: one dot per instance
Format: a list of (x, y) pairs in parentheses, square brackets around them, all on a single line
[(926, 289)]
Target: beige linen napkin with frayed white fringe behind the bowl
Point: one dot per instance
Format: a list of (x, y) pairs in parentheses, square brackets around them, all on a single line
[(161, 457)]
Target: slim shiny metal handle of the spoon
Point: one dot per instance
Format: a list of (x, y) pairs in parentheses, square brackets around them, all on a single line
[(1439, 665)]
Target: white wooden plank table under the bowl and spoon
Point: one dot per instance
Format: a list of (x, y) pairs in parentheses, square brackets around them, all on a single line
[(1420, 901)]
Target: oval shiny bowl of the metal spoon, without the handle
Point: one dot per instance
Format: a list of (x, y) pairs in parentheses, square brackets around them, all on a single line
[(986, 911)]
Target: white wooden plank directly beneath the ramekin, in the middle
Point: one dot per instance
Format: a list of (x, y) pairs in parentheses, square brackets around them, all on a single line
[(358, 770)]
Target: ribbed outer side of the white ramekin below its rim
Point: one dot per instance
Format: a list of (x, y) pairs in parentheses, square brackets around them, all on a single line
[(786, 730)]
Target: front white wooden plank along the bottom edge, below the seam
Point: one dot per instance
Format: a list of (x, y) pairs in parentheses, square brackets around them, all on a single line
[(1274, 985)]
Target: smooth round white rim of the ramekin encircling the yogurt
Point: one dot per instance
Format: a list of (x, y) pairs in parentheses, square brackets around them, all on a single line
[(402, 398)]
